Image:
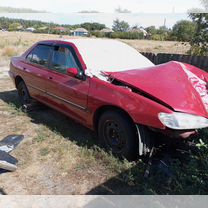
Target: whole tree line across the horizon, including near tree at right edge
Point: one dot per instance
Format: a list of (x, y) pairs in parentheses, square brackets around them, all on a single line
[(194, 31)]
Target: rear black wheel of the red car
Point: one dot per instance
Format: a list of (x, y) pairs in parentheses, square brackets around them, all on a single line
[(23, 93)]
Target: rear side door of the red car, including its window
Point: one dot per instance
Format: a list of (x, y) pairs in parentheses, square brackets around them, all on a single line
[(35, 69)]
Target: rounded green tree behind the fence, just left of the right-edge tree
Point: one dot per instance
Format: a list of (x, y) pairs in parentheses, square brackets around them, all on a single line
[(183, 30)]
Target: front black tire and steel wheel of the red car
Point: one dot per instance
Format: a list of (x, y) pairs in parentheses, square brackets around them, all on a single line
[(117, 134)]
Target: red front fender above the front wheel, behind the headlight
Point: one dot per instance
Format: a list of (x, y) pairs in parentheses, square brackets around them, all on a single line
[(142, 110)]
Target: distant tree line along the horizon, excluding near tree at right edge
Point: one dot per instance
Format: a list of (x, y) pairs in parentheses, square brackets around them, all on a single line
[(181, 31)]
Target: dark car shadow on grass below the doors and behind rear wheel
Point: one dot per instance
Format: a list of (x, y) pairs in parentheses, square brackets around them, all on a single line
[(55, 121)]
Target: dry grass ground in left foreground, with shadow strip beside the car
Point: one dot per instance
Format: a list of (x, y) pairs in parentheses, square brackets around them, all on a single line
[(53, 158)]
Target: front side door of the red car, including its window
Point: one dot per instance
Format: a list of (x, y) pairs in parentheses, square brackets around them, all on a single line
[(66, 93)]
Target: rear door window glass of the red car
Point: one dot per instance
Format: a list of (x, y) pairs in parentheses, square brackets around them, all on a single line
[(40, 55)]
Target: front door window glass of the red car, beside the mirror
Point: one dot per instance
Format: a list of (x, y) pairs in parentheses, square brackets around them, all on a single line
[(62, 58)]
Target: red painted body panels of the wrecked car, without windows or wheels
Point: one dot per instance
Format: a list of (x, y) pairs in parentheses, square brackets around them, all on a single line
[(167, 84)]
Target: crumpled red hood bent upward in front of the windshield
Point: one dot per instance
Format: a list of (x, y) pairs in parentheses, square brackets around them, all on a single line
[(168, 83)]
